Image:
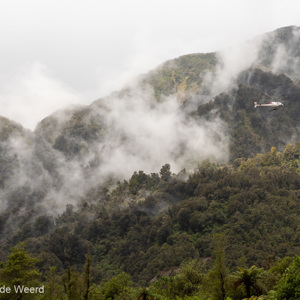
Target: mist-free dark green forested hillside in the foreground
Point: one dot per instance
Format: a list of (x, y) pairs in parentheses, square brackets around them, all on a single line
[(217, 219)]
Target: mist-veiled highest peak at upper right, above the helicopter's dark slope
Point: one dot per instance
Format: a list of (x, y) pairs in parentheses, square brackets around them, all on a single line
[(275, 52)]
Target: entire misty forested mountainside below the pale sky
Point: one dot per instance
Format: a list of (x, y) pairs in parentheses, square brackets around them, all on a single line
[(173, 188)]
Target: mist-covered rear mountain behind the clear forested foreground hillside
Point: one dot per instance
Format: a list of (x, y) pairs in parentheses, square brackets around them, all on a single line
[(194, 107)]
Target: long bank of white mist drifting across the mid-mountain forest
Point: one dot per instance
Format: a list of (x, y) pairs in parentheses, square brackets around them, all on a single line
[(139, 134)]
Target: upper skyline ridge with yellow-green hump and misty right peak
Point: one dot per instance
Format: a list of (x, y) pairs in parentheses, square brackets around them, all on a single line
[(277, 51)]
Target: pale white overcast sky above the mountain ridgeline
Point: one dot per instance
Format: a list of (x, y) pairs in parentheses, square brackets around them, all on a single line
[(59, 52)]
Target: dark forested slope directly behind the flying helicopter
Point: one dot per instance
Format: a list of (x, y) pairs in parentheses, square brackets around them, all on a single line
[(257, 130)]
